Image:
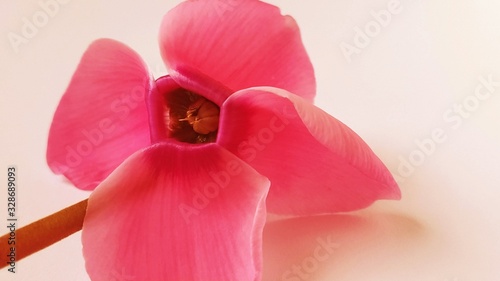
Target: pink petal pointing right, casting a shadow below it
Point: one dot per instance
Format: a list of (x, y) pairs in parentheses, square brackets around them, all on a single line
[(316, 164)]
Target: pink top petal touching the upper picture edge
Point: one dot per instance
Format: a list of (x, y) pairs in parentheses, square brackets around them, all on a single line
[(239, 43)]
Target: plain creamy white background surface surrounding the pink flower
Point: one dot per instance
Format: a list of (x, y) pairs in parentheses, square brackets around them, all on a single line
[(394, 92)]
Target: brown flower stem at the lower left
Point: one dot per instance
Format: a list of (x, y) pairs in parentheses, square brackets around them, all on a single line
[(42, 233)]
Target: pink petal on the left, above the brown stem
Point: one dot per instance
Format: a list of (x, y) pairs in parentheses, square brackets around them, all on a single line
[(102, 117)]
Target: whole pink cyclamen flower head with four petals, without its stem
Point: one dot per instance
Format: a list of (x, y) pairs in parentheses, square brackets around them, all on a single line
[(183, 165)]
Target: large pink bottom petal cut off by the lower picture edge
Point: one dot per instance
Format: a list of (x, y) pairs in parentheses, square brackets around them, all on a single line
[(174, 212)]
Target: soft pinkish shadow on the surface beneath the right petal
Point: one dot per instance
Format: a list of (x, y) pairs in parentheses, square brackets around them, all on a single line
[(310, 248)]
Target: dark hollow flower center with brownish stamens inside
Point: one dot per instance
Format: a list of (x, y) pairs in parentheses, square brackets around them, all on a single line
[(191, 118)]
